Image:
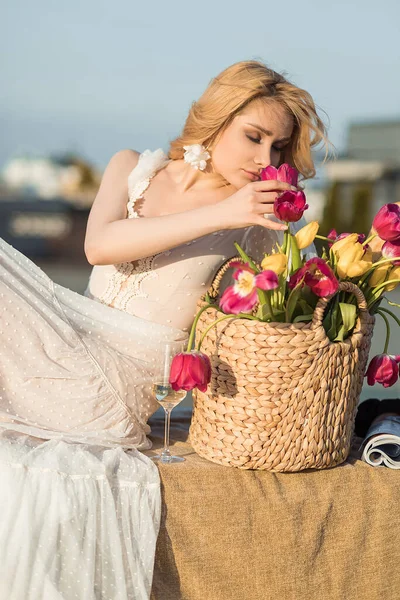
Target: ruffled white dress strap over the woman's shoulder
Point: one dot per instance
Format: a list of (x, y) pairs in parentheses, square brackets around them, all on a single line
[(139, 178)]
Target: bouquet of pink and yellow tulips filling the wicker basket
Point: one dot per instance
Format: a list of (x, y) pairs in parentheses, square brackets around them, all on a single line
[(286, 288)]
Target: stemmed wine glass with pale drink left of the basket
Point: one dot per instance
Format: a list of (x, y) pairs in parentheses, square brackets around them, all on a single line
[(165, 395)]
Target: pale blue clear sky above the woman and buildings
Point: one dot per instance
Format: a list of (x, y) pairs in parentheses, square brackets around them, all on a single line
[(95, 77)]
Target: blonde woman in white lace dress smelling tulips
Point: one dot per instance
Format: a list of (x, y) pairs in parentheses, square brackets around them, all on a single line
[(80, 502)]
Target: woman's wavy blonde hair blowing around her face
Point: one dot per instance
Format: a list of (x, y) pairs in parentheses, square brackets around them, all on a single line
[(232, 90)]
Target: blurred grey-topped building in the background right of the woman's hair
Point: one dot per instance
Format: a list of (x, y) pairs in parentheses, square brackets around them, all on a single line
[(364, 178)]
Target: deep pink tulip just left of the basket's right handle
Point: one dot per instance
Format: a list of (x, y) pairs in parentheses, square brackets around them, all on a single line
[(318, 276)]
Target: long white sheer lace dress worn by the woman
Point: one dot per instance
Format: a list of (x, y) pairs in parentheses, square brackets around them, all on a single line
[(80, 504)]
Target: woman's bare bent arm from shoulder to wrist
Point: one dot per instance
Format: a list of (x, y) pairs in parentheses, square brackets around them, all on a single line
[(112, 238)]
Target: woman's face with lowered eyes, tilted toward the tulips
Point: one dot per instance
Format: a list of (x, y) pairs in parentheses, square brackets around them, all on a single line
[(255, 139)]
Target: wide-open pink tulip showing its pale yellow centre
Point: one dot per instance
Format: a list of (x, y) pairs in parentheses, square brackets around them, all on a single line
[(242, 296)]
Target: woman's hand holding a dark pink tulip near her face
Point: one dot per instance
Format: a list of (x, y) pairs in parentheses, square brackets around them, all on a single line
[(247, 206)]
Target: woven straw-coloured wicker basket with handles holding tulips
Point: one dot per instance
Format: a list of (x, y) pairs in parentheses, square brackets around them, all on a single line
[(282, 396)]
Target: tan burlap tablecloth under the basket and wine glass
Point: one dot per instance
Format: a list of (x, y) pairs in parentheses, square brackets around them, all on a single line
[(229, 534)]
